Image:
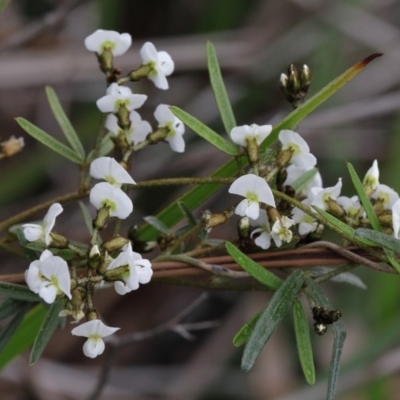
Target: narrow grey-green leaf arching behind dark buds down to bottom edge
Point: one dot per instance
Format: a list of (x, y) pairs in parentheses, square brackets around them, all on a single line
[(339, 333)]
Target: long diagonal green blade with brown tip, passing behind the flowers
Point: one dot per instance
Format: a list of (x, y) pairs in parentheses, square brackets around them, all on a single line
[(171, 215)]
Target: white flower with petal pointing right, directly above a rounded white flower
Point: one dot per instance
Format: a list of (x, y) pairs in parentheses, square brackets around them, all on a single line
[(110, 170)]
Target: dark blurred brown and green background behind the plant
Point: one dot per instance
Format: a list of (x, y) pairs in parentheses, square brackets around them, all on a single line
[(41, 43)]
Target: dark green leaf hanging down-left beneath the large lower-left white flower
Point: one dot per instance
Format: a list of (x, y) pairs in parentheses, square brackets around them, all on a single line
[(46, 330)]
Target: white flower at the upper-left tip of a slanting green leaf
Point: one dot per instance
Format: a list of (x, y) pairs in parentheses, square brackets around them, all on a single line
[(166, 119)]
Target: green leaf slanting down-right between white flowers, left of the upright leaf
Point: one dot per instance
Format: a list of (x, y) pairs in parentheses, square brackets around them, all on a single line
[(205, 132)]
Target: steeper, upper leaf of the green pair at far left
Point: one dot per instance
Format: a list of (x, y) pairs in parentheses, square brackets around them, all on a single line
[(64, 122)]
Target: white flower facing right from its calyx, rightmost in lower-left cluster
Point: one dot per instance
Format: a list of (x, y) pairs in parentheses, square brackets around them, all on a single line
[(139, 271)]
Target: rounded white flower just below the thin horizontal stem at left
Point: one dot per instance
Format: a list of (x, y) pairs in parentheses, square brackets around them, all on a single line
[(105, 195)]
